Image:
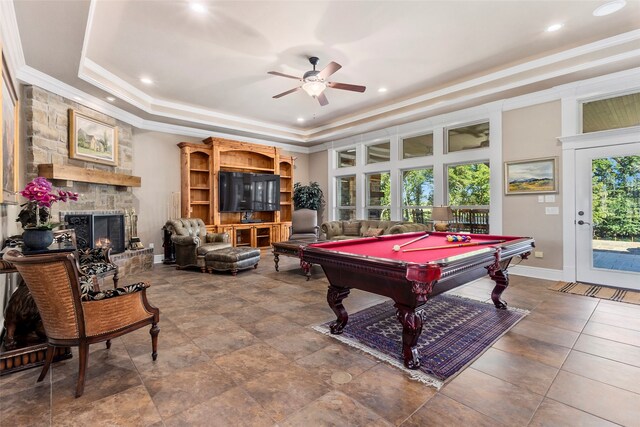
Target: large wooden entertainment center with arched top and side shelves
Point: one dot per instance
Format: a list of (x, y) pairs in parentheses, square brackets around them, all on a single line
[(200, 166)]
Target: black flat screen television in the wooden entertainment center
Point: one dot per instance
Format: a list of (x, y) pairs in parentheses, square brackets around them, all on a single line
[(243, 192)]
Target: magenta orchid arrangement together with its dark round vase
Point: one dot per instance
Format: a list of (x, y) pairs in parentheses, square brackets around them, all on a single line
[(35, 215)]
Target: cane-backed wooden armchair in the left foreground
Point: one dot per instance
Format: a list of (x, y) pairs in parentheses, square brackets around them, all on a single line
[(73, 318)]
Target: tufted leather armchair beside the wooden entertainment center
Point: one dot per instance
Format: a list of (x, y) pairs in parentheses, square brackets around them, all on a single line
[(192, 242)]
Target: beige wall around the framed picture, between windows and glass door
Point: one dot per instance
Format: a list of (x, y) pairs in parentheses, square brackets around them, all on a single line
[(530, 133)]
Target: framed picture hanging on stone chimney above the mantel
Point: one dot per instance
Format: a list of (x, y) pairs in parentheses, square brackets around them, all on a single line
[(92, 140)]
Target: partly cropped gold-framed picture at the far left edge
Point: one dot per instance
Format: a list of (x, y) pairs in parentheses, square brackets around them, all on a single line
[(9, 117)]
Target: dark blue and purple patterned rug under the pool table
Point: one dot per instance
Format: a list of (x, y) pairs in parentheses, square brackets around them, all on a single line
[(455, 332)]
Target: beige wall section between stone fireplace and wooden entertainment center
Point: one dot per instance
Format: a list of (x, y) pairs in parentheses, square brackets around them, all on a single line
[(157, 161)]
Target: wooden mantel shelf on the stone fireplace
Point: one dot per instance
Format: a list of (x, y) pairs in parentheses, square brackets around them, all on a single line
[(94, 176)]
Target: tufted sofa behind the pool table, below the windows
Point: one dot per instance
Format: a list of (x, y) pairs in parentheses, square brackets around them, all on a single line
[(342, 230)]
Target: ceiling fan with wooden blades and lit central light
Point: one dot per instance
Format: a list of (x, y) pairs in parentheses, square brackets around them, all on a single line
[(315, 82)]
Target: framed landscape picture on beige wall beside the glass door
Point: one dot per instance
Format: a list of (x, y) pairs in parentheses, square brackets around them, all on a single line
[(531, 176)]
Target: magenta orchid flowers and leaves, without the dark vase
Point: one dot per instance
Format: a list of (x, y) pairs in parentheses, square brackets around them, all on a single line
[(40, 194)]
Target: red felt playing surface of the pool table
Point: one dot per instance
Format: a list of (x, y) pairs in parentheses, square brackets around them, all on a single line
[(382, 247)]
